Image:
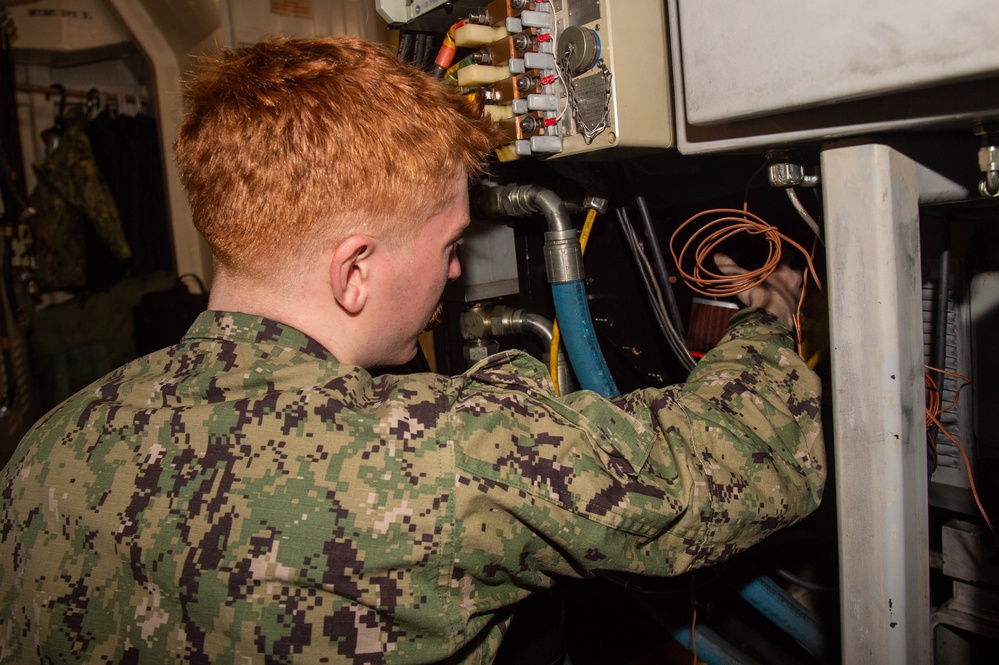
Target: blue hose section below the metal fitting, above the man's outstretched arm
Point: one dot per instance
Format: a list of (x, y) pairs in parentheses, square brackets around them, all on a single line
[(579, 338)]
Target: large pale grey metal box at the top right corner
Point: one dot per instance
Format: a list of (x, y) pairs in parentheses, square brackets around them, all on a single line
[(777, 71)]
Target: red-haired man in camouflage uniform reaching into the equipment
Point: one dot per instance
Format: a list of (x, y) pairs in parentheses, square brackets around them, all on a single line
[(254, 495)]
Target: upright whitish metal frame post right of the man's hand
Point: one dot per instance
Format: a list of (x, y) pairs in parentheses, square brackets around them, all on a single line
[(872, 195)]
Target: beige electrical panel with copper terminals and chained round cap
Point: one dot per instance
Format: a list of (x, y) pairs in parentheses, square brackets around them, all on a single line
[(564, 77)]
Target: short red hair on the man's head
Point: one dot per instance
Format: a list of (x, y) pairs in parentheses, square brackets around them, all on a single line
[(291, 143)]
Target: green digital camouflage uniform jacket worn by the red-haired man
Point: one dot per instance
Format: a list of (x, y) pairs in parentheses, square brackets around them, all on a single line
[(242, 497)]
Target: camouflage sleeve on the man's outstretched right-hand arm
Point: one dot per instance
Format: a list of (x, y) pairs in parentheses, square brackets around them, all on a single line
[(654, 482)]
